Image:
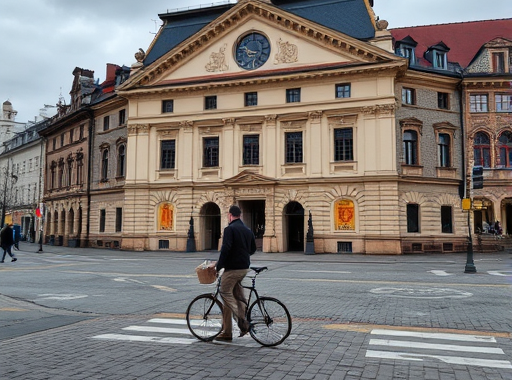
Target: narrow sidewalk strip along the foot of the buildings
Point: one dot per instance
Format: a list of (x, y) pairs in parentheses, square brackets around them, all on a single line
[(277, 256)]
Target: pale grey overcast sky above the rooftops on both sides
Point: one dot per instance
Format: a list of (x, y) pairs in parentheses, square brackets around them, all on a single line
[(42, 41)]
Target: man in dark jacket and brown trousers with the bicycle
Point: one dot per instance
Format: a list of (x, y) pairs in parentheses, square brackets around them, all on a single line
[(238, 244)]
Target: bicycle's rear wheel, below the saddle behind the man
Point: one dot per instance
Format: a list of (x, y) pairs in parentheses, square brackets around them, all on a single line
[(270, 321)]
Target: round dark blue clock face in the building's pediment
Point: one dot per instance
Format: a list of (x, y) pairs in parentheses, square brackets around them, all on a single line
[(252, 51)]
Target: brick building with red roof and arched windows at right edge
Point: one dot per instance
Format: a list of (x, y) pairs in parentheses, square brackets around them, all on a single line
[(479, 53)]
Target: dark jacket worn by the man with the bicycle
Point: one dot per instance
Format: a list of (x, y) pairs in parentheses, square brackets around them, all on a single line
[(238, 245)]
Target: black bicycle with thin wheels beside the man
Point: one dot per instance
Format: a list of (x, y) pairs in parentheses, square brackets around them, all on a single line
[(270, 321)]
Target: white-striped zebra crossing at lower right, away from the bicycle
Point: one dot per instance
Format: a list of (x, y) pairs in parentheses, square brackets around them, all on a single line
[(449, 348)]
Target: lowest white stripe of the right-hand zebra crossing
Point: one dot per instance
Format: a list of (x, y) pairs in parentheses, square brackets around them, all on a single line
[(444, 359)]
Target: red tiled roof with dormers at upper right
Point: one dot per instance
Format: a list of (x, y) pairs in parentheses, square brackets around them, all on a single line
[(464, 39)]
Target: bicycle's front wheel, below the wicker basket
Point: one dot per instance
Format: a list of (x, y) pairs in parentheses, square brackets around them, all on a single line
[(204, 317)]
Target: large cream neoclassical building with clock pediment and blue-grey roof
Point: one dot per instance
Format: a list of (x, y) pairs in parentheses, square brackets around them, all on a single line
[(296, 111)]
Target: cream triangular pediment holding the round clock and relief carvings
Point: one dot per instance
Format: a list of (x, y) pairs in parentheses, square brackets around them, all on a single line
[(290, 43)]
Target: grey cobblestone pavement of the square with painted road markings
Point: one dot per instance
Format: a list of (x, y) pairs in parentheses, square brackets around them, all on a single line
[(354, 317)]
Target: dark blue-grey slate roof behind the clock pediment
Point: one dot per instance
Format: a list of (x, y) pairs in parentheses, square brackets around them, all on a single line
[(346, 16)]
